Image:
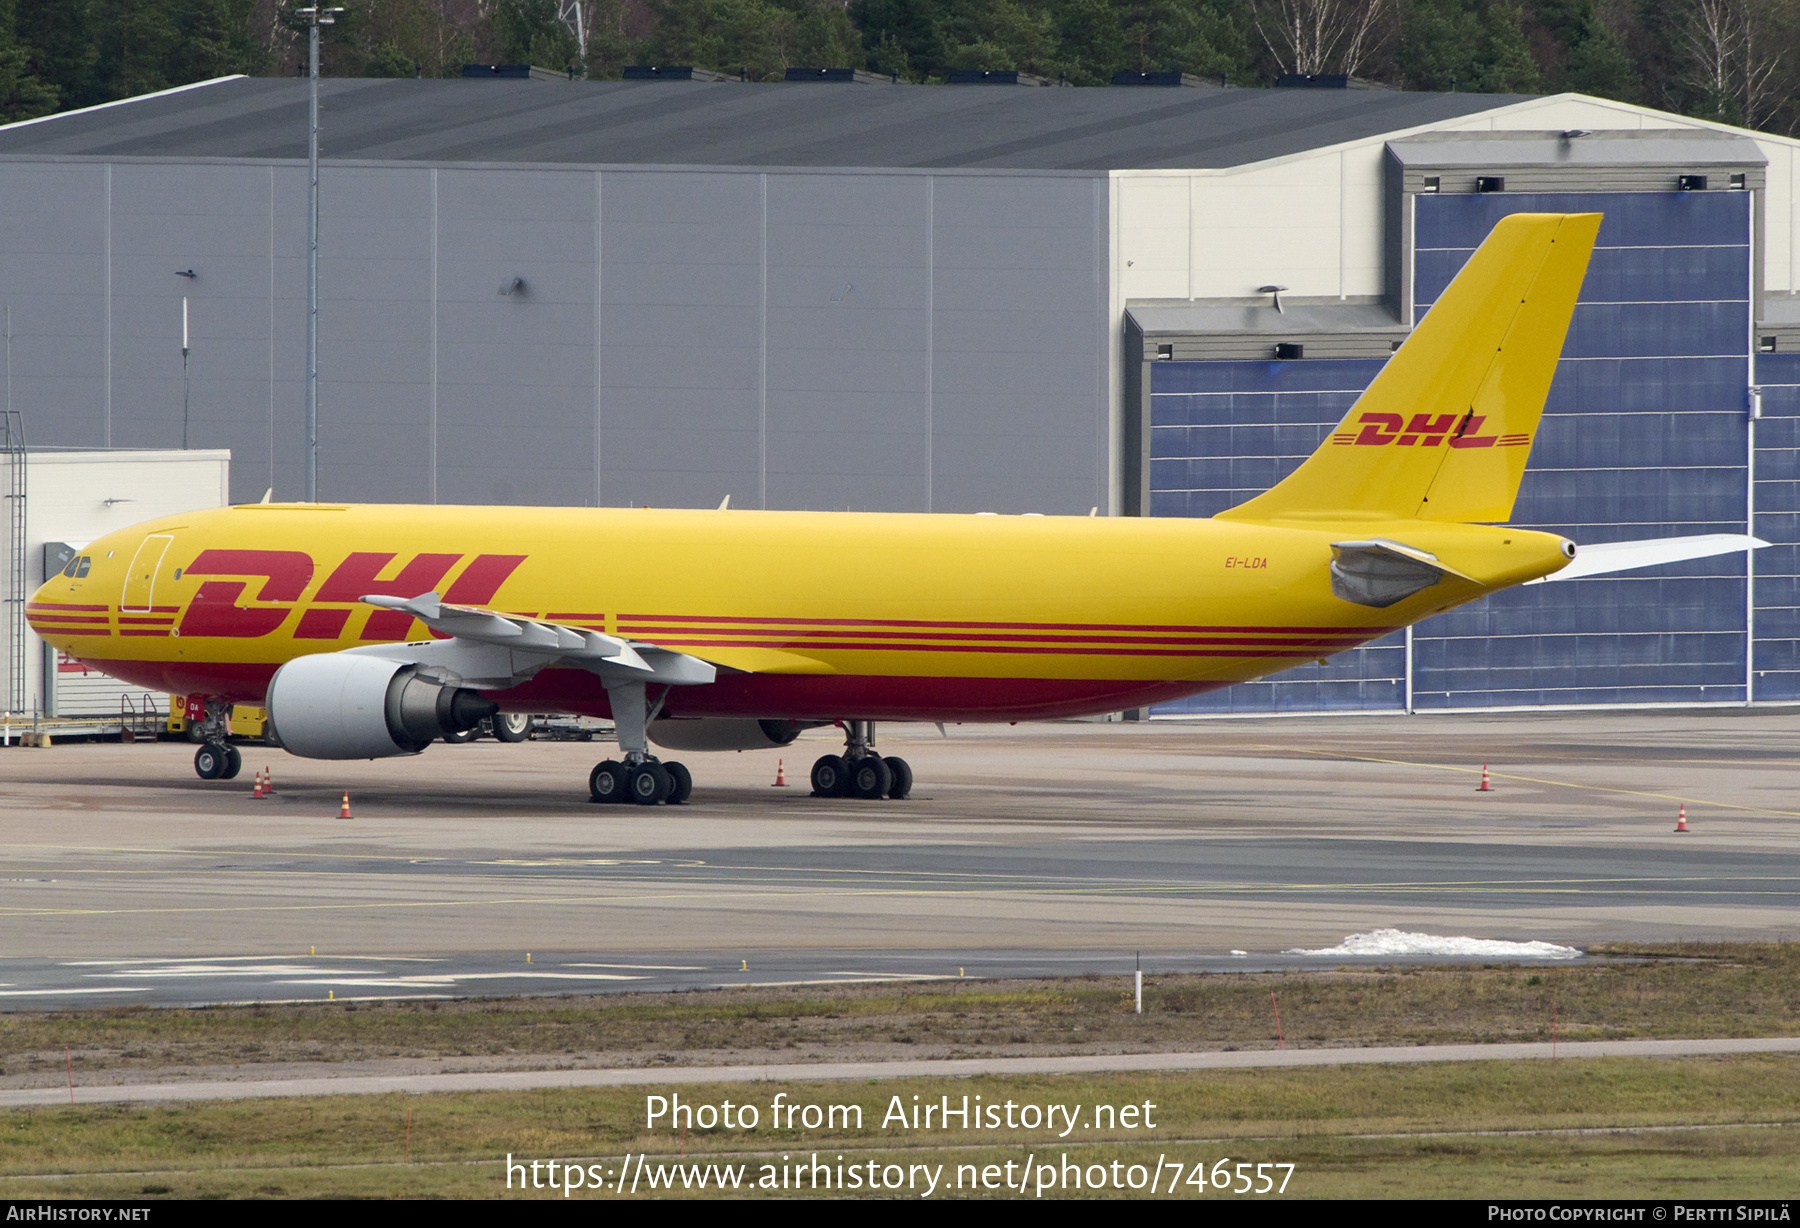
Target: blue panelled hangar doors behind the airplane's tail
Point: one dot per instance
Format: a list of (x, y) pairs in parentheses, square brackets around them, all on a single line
[(1646, 435)]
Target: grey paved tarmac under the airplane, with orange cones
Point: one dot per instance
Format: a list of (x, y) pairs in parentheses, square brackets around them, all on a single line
[(1075, 847)]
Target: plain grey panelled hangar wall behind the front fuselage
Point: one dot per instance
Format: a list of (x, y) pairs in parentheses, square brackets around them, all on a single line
[(885, 341)]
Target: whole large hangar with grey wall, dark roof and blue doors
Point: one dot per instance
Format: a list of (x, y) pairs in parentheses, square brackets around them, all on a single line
[(989, 298)]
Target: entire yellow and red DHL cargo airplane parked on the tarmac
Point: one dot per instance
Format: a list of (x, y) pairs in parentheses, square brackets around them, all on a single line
[(373, 631)]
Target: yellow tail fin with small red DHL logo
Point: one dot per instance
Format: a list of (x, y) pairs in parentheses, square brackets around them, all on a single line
[(1446, 428)]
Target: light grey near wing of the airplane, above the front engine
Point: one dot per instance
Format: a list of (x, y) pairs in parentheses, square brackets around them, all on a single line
[(498, 651)]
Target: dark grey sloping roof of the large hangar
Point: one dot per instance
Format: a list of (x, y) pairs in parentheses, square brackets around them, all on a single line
[(676, 123)]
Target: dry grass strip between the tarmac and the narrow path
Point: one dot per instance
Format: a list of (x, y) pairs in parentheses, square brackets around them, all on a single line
[(1705, 991)]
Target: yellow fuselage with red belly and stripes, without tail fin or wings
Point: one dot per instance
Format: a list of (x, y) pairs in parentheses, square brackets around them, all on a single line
[(807, 615)]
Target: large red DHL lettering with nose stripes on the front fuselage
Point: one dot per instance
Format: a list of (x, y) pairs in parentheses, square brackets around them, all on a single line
[(285, 575)]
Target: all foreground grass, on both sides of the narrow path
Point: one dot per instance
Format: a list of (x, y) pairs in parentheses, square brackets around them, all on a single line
[(1594, 1128)]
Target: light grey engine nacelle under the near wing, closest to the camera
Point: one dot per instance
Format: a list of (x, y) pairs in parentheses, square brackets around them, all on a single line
[(346, 707)]
